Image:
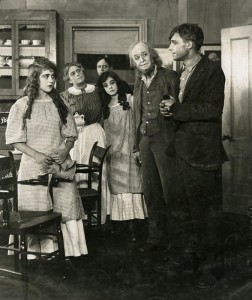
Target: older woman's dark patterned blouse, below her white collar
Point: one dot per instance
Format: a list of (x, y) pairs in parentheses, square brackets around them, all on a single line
[(88, 104)]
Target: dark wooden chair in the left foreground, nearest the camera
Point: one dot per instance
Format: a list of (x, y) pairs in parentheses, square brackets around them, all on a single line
[(21, 223)]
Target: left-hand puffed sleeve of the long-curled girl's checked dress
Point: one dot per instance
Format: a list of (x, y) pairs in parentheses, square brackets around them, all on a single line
[(16, 131)]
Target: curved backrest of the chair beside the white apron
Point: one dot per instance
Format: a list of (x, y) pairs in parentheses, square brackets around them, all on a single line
[(96, 159)]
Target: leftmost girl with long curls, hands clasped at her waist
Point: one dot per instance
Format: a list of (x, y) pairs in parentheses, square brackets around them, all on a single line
[(42, 128)]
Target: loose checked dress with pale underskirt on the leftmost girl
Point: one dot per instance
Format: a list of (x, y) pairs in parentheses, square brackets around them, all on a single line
[(45, 132)]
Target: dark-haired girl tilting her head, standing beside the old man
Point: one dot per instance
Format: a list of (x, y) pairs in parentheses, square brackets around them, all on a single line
[(124, 180)]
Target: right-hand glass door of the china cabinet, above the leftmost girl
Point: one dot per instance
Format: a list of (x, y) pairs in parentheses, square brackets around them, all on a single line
[(32, 44)]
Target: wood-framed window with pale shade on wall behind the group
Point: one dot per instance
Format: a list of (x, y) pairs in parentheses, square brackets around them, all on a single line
[(86, 40)]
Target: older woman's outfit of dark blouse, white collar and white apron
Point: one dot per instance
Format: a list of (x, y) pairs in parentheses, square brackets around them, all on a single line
[(87, 103)]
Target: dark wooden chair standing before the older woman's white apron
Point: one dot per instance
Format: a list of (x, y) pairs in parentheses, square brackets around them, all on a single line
[(91, 198)]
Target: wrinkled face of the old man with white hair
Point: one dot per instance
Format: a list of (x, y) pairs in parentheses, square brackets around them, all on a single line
[(141, 57)]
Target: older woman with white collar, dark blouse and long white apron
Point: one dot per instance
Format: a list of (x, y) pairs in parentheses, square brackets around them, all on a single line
[(85, 105)]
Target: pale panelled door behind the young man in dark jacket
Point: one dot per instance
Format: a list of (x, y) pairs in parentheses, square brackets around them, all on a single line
[(237, 118)]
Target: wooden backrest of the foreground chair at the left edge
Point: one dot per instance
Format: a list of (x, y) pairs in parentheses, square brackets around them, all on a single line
[(8, 182)]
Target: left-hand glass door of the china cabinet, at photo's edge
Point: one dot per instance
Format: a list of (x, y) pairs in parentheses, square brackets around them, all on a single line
[(6, 52)]
